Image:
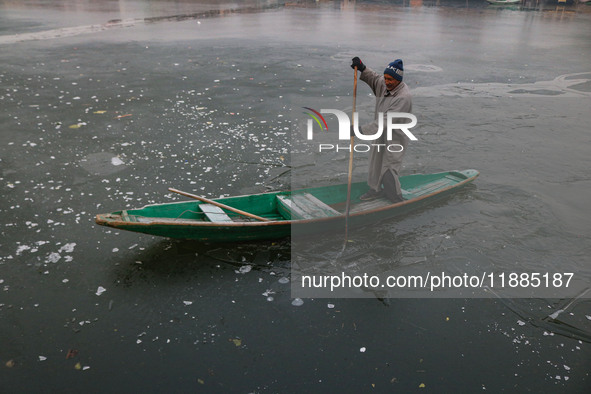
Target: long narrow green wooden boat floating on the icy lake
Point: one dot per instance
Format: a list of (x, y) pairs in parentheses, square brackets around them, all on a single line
[(184, 220)]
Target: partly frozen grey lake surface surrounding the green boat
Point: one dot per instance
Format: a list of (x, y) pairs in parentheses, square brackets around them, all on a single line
[(104, 105)]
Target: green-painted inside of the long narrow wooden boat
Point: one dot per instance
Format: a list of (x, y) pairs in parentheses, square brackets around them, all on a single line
[(266, 204)]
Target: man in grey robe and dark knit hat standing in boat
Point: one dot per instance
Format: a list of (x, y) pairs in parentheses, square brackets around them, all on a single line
[(392, 95)]
